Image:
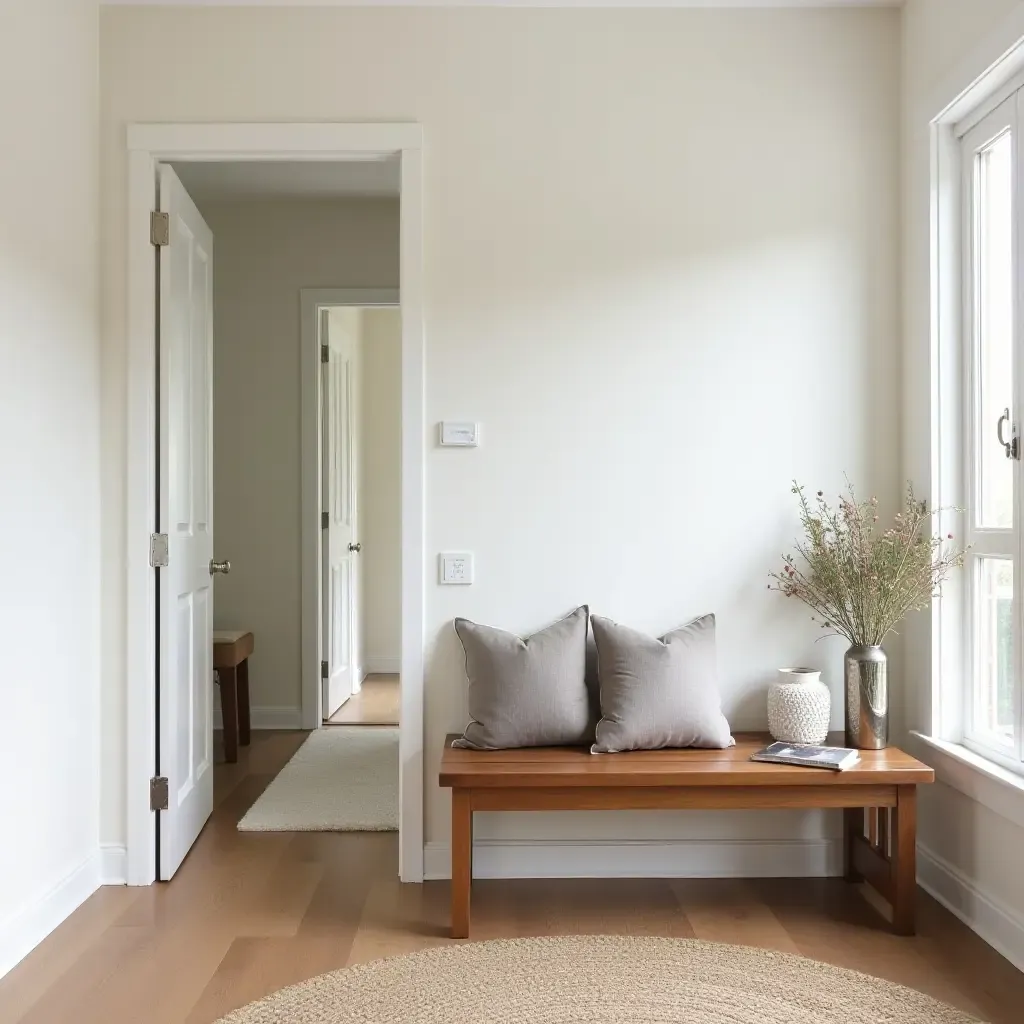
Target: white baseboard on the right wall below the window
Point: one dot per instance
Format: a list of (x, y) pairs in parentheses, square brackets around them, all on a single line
[(1001, 927)]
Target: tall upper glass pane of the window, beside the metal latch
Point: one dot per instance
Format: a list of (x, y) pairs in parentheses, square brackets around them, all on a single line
[(995, 312)]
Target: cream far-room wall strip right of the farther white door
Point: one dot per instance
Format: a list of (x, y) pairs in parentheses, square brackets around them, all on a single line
[(380, 490)]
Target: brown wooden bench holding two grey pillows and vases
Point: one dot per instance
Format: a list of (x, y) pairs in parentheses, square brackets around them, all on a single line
[(878, 797)]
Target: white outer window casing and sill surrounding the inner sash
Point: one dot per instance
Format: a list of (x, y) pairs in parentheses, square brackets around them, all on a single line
[(948, 109)]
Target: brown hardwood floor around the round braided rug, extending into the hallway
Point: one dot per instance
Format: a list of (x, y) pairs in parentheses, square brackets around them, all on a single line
[(250, 914)]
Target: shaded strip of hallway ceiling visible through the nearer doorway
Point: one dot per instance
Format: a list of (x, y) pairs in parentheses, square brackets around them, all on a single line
[(214, 183)]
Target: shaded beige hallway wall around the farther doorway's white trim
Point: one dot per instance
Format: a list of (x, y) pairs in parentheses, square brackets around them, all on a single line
[(265, 253)]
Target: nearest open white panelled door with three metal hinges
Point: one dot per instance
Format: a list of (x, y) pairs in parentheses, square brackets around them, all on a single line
[(186, 617)]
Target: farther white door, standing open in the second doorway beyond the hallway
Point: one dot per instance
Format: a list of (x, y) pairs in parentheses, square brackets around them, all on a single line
[(340, 547)]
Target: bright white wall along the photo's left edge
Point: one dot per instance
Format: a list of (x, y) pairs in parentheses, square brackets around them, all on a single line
[(50, 467)]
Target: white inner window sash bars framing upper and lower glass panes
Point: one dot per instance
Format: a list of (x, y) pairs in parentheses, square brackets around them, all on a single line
[(976, 135)]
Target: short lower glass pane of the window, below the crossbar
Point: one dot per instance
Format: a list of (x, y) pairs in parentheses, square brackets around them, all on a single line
[(994, 651)]
